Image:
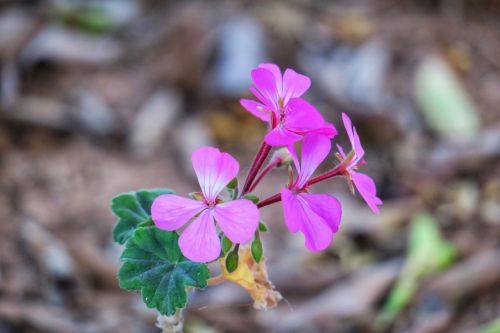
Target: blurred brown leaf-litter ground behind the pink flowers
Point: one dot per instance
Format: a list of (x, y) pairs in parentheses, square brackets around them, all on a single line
[(98, 97)]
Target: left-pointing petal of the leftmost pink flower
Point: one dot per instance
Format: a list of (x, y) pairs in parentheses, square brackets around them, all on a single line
[(170, 211)]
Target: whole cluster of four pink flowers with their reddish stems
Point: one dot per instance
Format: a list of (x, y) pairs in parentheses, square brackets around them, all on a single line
[(293, 123)]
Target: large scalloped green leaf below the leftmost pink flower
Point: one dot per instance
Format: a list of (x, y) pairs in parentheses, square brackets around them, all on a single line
[(153, 264)]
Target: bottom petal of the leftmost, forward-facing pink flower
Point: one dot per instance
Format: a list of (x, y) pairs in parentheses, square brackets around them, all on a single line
[(199, 242)]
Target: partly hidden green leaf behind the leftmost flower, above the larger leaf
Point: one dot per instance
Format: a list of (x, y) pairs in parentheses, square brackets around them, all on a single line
[(133, 209)]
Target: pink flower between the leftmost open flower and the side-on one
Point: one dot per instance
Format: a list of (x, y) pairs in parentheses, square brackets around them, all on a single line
[(317, 216)]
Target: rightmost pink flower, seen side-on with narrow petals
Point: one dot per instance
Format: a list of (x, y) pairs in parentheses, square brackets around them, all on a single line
[(364, 184)]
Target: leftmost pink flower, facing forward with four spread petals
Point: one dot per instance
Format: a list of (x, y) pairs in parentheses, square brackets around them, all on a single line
[(238, 219)]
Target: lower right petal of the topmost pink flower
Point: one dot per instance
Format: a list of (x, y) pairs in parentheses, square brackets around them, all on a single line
[(302, 118)]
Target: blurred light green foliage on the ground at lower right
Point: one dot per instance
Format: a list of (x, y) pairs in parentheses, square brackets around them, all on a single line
[(428, 253)]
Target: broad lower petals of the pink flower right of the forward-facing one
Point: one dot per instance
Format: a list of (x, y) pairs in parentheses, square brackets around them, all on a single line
[(317, 216)]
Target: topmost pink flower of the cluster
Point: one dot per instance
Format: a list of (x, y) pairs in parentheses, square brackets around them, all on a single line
[(279, 104)]
